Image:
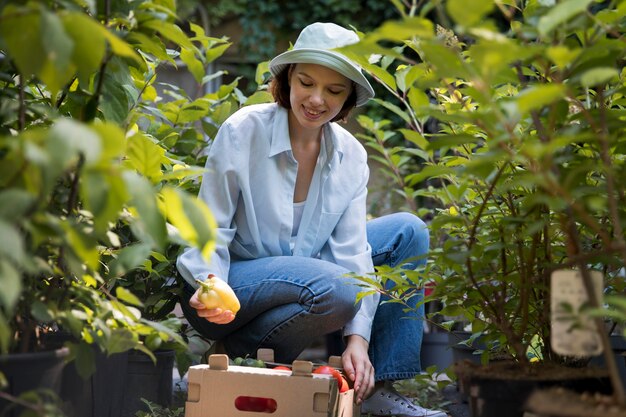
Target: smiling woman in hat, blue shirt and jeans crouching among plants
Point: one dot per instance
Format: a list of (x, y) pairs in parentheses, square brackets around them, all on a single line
[(288, 188)]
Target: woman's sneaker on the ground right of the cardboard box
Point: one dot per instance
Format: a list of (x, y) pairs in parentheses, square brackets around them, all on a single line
[(386, 401)]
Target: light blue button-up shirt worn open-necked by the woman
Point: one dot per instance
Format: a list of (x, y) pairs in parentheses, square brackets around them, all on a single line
[(249, 186)]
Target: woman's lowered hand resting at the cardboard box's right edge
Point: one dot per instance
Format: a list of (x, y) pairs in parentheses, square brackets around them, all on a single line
[(357, 366)]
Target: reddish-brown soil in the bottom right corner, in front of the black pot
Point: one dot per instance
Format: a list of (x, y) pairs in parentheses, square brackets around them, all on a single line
[(559, 402)]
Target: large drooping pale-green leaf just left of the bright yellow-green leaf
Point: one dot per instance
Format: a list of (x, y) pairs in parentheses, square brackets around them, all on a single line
[(149, 224)]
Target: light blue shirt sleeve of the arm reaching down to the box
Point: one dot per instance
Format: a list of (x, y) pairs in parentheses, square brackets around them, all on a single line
[(348, 248)]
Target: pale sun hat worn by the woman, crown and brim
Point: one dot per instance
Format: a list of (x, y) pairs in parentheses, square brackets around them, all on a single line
[(314, 46)]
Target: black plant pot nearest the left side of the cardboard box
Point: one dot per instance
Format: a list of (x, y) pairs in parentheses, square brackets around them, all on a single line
[(147, 380)]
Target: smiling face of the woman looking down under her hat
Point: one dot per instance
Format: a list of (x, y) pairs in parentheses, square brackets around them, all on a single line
[(317, 94)]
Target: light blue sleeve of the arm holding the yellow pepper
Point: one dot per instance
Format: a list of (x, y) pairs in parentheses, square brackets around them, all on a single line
[(220, 191)]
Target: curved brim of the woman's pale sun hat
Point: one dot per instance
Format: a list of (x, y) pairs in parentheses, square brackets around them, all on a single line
[(329, 59)]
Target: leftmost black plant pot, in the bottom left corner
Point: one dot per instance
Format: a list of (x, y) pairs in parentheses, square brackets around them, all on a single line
[(29, 371)]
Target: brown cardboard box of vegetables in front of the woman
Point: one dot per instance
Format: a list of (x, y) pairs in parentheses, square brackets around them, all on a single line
[(222, 390)]
